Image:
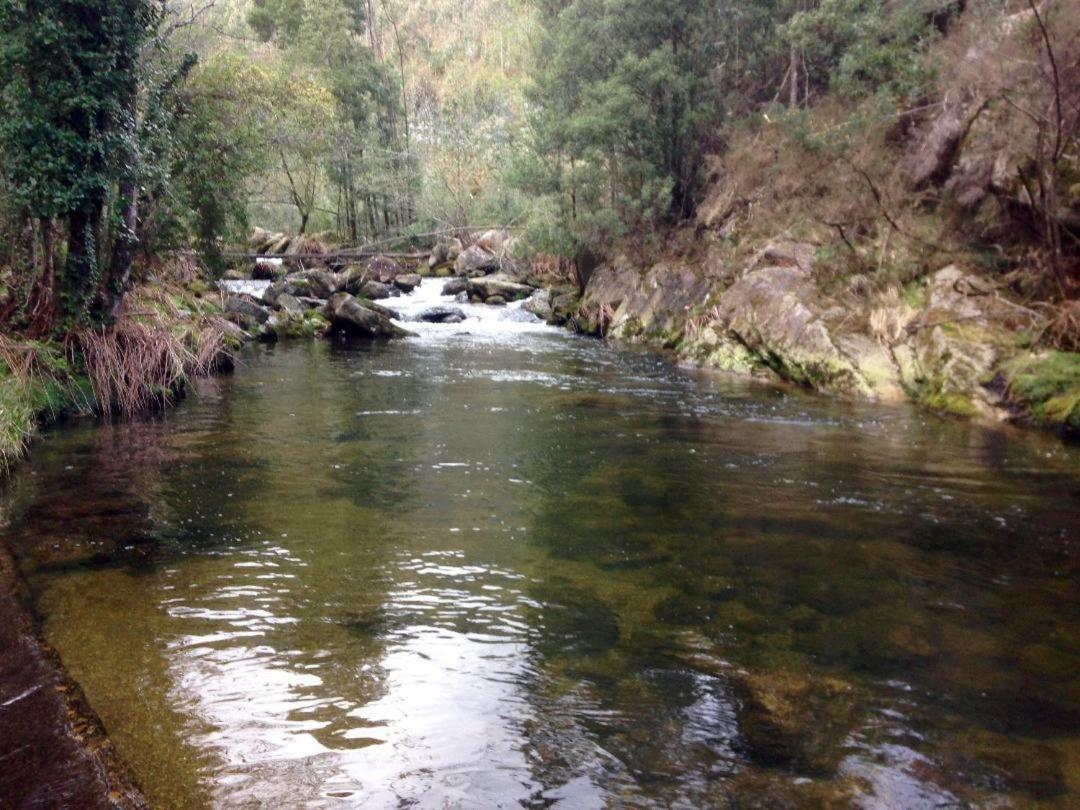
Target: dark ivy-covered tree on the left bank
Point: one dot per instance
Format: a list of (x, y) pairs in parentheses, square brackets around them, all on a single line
[(69, 136)]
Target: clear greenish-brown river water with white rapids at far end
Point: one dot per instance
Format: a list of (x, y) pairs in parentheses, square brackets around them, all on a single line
[(498, 565)]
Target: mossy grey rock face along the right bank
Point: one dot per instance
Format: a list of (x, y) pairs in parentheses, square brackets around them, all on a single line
[(948, 346)]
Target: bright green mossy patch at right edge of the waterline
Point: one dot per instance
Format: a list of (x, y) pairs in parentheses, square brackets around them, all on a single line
[(1048, 386)]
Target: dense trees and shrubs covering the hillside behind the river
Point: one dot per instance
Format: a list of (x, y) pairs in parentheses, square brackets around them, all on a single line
[(132, 128)]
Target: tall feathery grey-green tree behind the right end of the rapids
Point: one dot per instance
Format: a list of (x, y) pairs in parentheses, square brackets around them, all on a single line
[(623, 99)]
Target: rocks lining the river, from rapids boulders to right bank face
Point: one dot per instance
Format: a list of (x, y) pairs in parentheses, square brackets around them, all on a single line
[(954, 342)]
